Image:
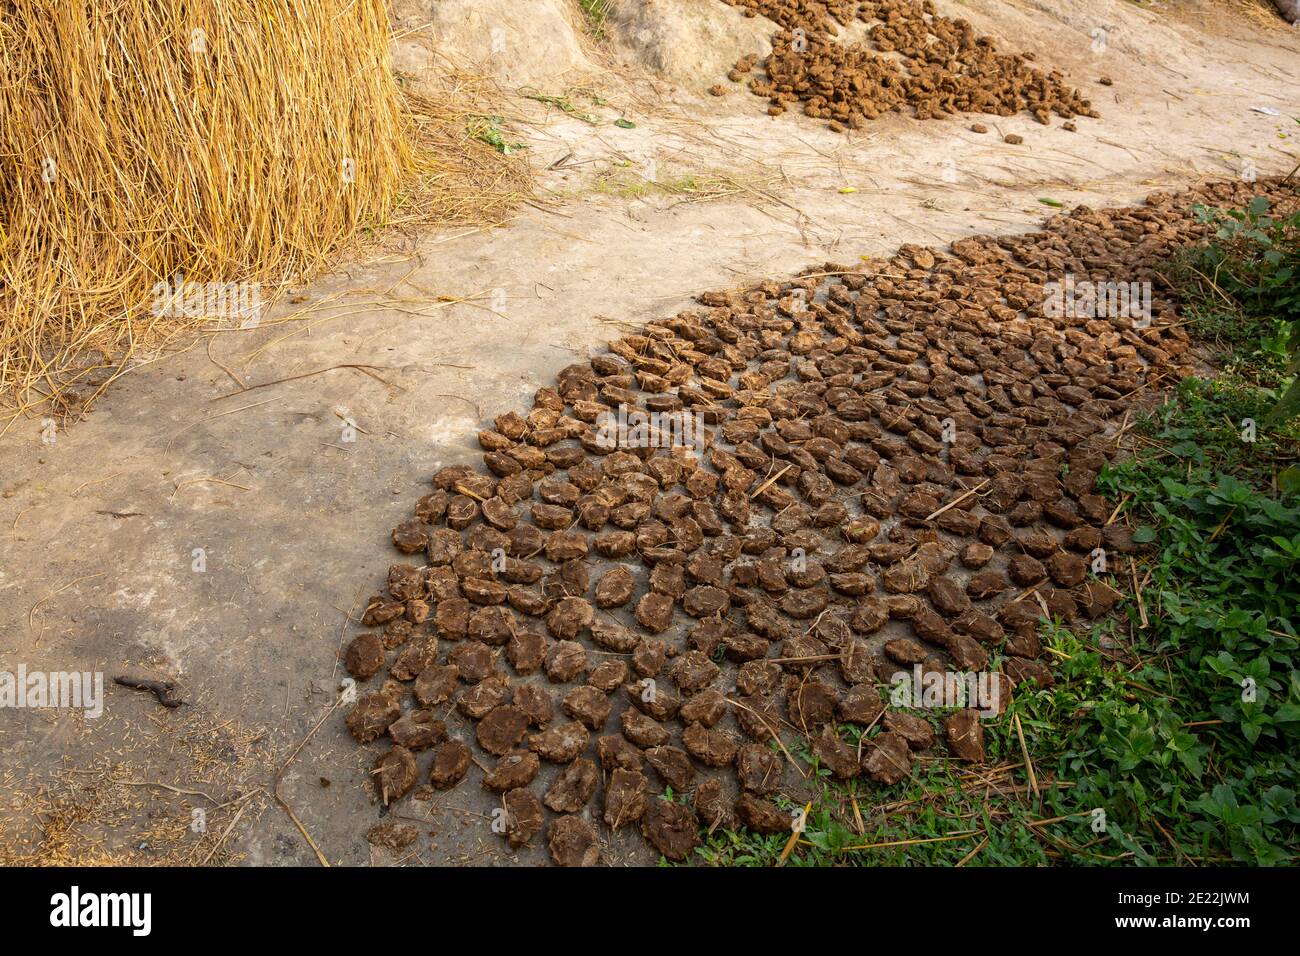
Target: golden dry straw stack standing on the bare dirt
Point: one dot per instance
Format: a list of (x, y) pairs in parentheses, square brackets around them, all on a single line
[(151, 142)]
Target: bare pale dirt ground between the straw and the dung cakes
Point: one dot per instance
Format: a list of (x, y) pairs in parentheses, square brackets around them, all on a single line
[(214, 524)]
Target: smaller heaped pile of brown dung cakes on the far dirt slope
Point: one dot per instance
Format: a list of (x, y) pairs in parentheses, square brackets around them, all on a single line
[(935, 66)]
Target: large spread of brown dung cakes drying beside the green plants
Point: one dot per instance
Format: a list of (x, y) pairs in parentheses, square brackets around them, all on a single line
[(596, 611)]
